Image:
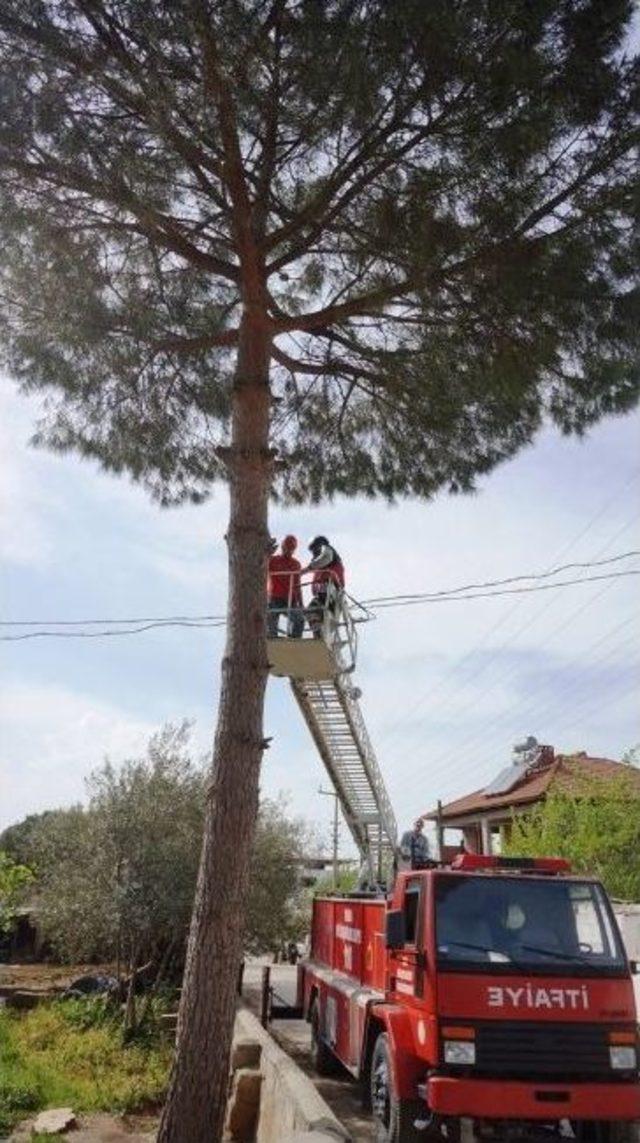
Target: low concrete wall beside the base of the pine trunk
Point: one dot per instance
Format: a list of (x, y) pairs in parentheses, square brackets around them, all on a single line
[(291, 1109)]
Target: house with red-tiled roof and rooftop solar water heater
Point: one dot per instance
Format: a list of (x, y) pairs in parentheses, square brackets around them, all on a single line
[(485, 817)]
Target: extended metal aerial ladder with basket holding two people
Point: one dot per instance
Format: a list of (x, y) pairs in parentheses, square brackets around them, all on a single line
[(321, 670)]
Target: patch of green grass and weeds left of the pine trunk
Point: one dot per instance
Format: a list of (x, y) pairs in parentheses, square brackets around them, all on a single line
[(71, 1054)]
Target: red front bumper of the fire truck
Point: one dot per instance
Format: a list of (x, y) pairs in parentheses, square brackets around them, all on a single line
[(481, 1099)]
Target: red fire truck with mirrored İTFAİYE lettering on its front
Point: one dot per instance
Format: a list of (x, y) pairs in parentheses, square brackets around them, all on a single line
[(490, 1000)]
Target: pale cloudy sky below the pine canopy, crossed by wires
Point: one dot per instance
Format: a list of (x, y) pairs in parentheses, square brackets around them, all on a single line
[(447, 688)]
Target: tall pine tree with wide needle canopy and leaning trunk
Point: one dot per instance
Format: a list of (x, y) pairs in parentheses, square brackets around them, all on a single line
[(309, 247)]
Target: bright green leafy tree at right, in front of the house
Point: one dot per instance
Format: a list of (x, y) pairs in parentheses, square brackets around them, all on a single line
[(597, 827)]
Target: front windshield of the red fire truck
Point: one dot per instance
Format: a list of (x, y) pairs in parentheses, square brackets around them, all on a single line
[(525, 923)]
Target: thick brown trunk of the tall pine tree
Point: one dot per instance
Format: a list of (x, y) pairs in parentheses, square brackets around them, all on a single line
[(196, 1105)]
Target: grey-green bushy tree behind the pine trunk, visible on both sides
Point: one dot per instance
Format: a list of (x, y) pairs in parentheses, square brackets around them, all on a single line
[(117, 880)]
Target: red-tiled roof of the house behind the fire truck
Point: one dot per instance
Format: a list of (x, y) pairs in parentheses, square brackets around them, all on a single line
[(566, 771)]
